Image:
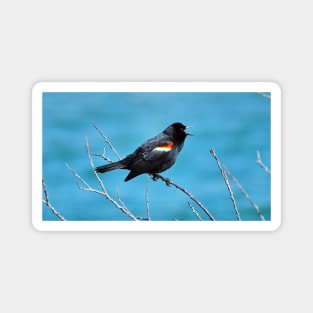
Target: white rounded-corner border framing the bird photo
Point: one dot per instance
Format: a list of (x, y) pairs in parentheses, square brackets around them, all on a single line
[(271, 87)]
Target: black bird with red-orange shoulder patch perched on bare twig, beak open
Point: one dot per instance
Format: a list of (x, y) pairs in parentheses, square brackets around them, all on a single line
[(154, 156)]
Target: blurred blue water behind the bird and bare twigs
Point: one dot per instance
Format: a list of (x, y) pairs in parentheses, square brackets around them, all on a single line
[(236, 125)]
